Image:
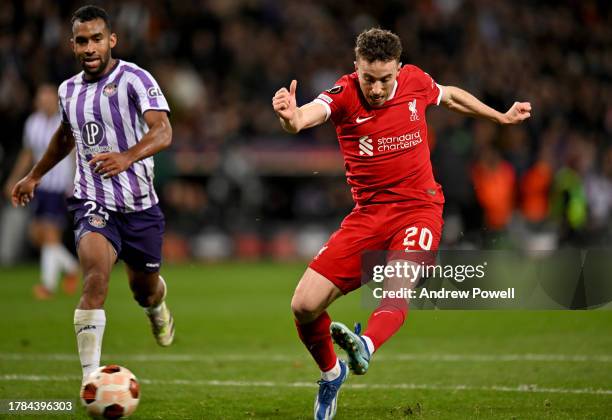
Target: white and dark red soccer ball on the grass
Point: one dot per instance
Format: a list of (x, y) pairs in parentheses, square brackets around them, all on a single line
[(110, 392)]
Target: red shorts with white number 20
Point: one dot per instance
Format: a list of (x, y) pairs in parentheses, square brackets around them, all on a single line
[(377, 227)]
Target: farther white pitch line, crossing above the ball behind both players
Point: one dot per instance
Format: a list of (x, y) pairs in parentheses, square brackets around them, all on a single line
[(528, 357)]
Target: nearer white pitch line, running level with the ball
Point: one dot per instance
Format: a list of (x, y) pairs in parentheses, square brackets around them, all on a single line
[(524, 388)]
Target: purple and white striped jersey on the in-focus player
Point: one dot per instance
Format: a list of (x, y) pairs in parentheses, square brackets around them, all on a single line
[(106, 115)]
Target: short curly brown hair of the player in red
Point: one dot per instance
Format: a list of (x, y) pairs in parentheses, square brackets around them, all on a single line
[(377, 44)]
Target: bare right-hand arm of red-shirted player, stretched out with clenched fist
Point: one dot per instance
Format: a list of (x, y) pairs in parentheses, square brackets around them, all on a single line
[(459, 100)]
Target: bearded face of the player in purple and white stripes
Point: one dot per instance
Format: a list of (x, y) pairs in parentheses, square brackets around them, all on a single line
[(92, 43)]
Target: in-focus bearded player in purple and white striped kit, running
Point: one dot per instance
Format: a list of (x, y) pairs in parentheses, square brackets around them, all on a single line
[(116, 115)]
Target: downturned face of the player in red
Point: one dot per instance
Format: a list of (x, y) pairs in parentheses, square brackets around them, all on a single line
[(376, 79)]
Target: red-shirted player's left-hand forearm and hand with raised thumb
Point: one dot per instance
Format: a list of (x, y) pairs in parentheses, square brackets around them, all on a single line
[(292, 118)]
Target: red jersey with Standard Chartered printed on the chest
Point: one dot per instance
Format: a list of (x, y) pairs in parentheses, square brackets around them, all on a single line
[(386, 154)]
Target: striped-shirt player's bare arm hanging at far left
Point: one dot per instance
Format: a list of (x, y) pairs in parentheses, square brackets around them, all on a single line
[(60, 146)]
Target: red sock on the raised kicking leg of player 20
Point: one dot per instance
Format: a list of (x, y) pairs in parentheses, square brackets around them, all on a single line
[(386, 320)]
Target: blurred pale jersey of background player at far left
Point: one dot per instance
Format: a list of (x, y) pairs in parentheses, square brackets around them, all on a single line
[(37, 133)]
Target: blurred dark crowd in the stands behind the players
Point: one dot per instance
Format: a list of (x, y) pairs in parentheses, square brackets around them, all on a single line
[(547, 183)]
